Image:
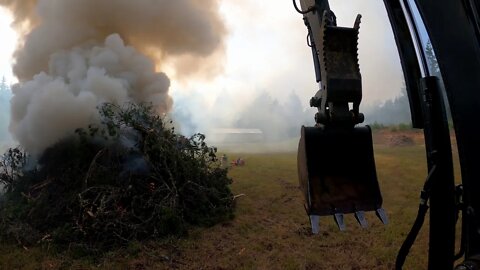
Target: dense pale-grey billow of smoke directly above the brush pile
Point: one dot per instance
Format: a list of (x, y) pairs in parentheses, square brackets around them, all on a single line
[(66, 97)]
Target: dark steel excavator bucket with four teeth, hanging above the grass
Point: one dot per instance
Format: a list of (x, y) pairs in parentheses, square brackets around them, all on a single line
[(337, 174)]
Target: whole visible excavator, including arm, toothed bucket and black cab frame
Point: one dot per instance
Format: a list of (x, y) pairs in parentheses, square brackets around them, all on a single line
[(335, 158)]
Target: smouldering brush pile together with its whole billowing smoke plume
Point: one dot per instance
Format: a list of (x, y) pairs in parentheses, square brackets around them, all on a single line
[(97, 164)]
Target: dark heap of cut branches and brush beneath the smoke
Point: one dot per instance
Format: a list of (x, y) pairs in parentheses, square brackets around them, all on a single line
[(129, 178)]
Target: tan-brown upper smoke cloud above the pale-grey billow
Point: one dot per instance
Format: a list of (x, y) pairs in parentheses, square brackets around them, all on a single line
[(187, 30)]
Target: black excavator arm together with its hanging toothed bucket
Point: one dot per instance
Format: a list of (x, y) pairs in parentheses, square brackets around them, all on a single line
[(335, 158)]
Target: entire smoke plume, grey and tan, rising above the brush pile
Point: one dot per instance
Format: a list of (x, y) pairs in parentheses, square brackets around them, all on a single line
[(72, 57)]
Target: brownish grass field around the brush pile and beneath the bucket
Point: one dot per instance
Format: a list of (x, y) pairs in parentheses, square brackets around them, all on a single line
[(271, 229)]
